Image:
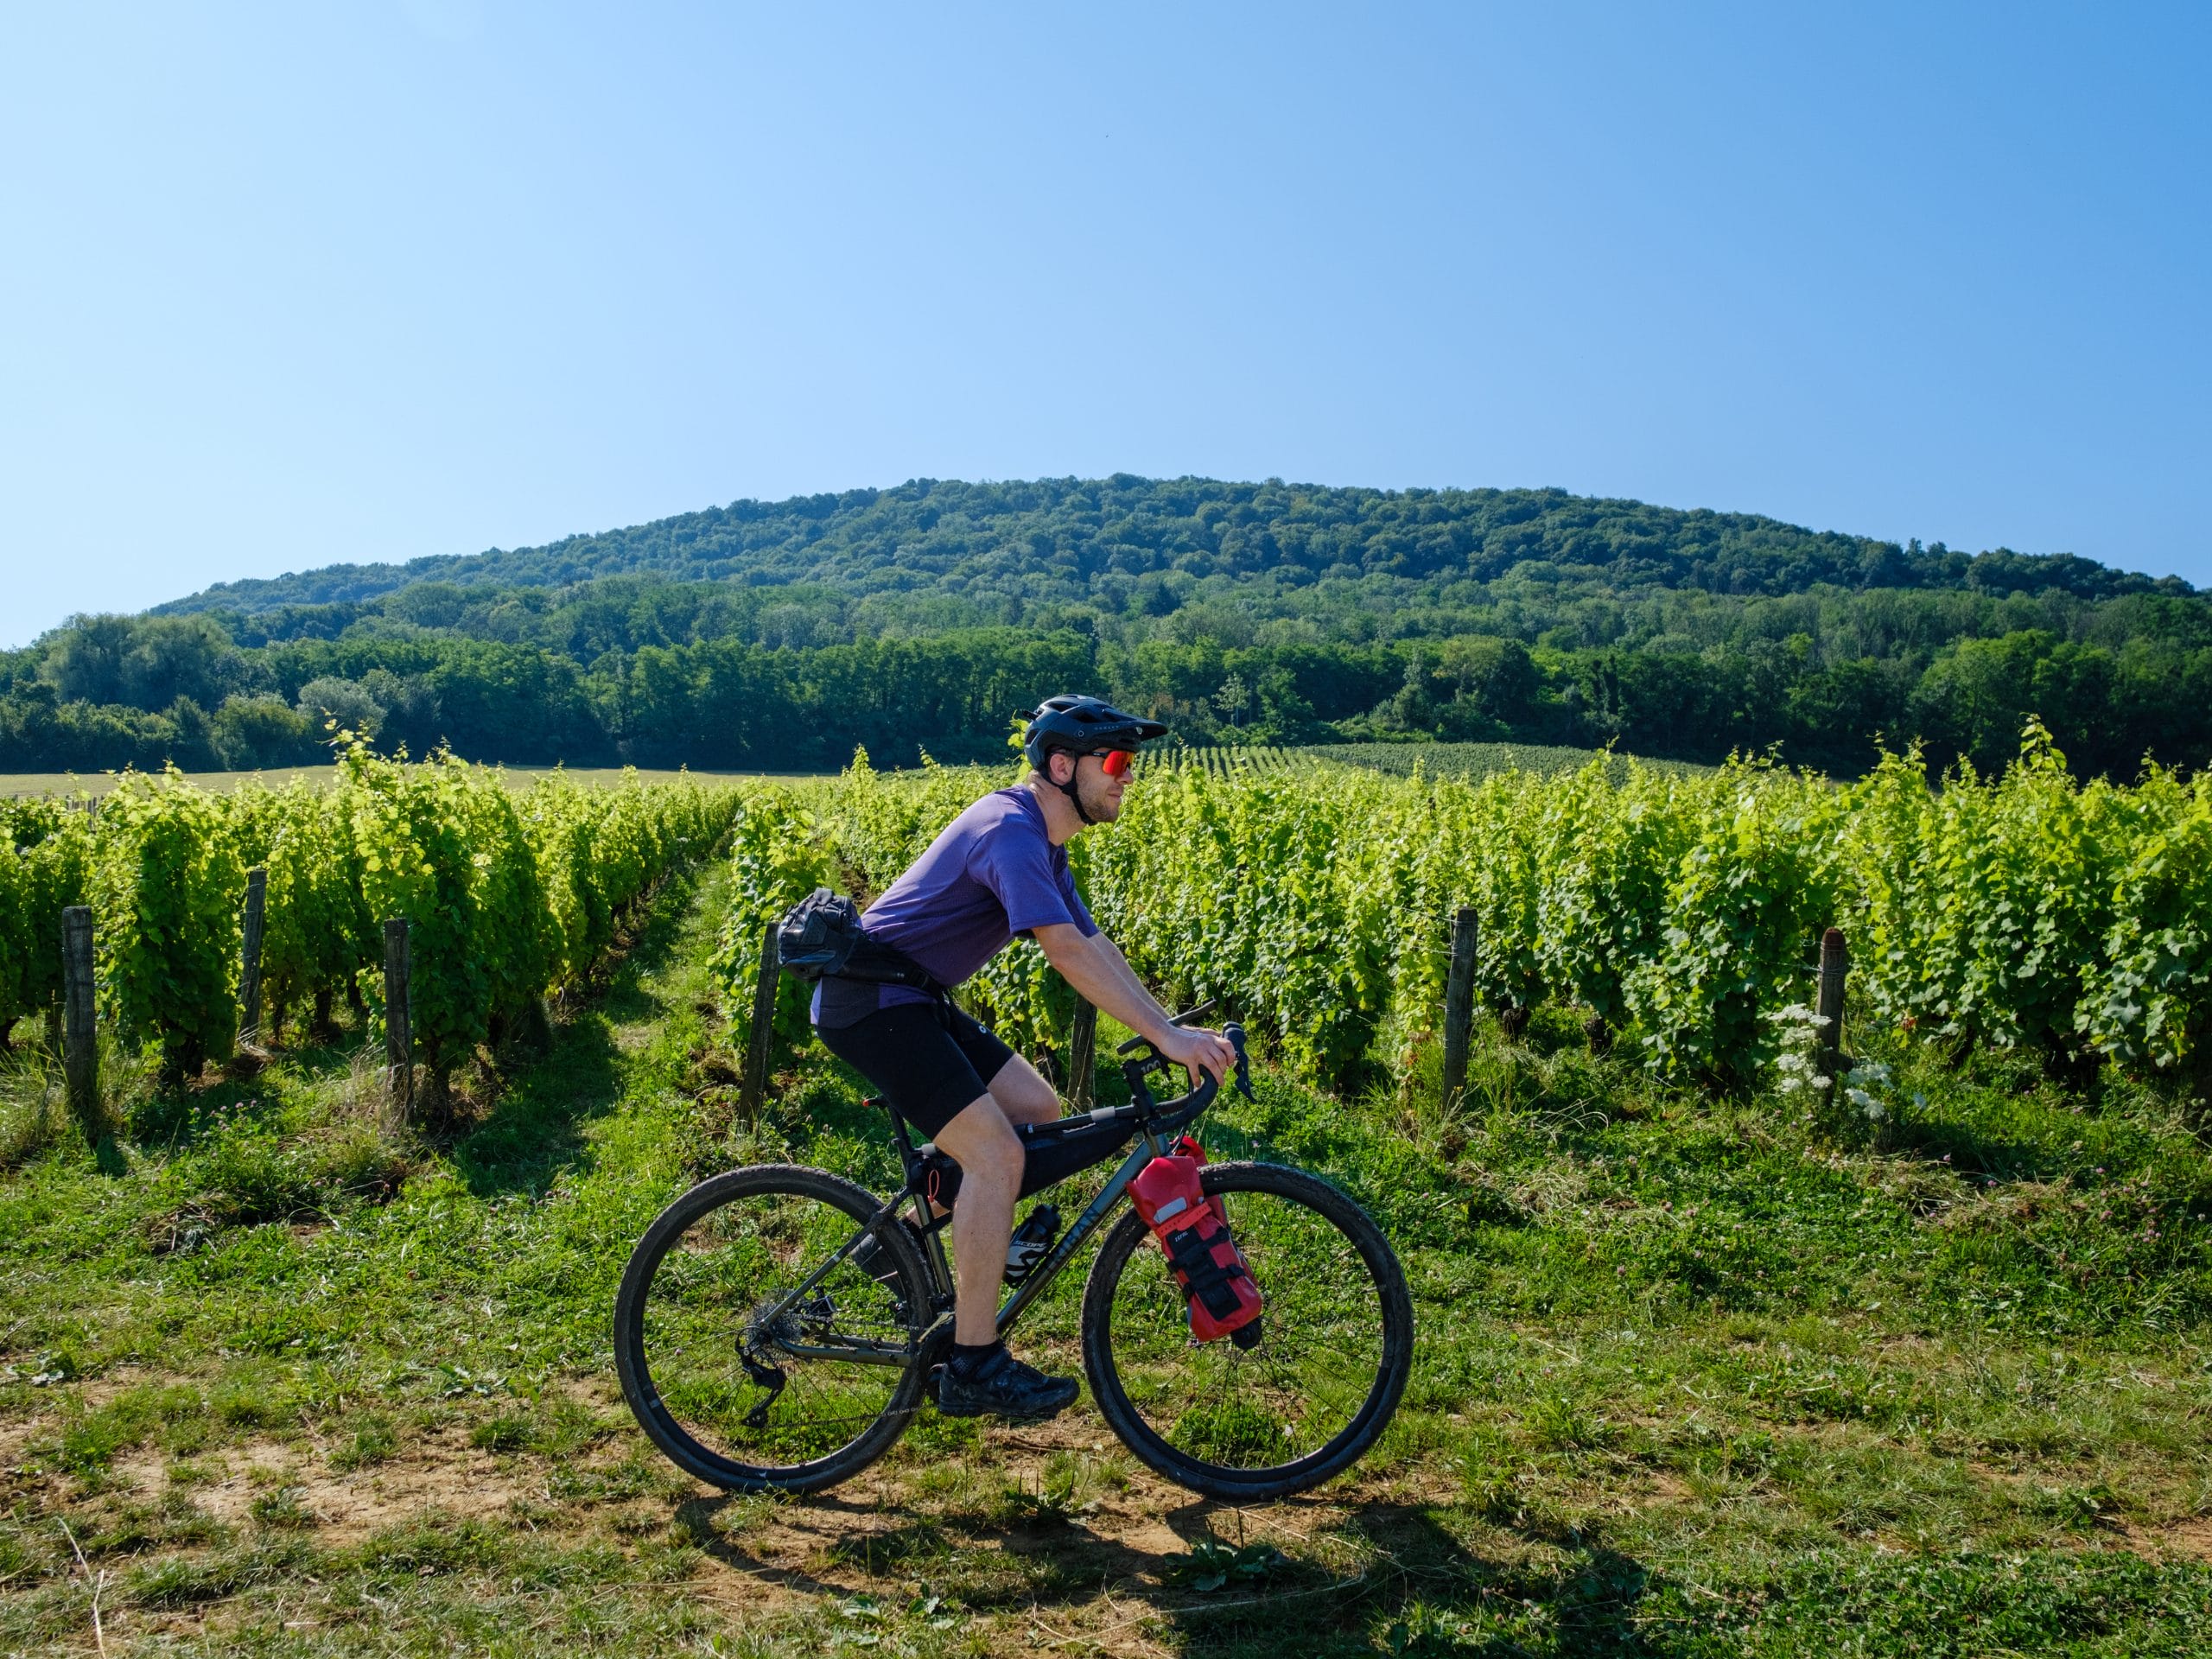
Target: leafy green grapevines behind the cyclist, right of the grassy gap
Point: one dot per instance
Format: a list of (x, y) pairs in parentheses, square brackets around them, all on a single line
[(1678, 912)]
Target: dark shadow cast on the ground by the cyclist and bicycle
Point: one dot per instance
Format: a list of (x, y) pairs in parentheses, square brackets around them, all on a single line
[(1408, 1578)]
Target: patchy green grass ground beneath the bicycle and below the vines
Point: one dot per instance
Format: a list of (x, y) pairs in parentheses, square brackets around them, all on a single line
[(1689, 1381)]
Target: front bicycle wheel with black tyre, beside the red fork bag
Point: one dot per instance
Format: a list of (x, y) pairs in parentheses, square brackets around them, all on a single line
[(1300, 1406)]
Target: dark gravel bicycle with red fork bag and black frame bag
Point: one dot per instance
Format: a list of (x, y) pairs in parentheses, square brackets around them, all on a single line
[(760, 1357)]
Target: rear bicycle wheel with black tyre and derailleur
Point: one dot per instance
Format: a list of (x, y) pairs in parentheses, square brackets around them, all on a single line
[(749, 1399)]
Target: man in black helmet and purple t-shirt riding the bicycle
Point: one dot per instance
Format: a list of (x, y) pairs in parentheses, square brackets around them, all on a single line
[(994, 873)]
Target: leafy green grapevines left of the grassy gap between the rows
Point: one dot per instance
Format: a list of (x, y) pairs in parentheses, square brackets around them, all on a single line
[(508, 897)]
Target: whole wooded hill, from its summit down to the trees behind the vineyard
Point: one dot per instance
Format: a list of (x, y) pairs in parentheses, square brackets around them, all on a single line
[(919, 618)]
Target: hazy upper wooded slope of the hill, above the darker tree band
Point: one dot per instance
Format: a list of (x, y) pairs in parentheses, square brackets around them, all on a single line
[(1087, 541)]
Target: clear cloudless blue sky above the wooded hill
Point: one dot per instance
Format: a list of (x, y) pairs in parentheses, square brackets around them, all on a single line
[(351, 282)]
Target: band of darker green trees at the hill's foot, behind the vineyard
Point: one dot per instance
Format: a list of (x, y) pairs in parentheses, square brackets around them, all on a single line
[(143, 691)]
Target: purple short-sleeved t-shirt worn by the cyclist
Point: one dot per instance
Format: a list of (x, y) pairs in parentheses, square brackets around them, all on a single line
[(990, 875)]
